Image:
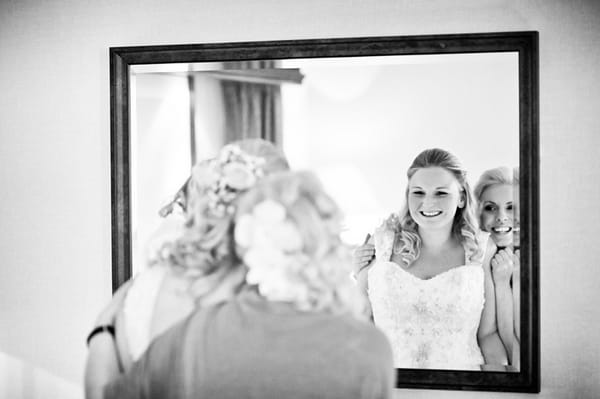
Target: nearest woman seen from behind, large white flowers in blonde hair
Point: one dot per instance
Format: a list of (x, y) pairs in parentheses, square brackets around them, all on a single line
[(294, 330)]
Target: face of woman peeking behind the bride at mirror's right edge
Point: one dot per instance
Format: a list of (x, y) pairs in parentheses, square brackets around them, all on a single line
[(497, 214)]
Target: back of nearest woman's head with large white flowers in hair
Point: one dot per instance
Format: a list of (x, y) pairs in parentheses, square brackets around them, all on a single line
[(287, 232)]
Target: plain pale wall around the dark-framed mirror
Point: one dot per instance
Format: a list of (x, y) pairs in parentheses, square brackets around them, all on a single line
[(55, 154)]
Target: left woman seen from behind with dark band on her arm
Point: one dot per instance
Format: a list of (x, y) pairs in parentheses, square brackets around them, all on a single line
[(195, 268)]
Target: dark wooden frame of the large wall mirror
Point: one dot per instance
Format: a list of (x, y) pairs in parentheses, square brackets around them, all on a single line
[(525, 43)]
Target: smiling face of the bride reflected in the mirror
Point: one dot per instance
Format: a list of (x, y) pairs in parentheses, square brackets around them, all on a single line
[(434, 195)]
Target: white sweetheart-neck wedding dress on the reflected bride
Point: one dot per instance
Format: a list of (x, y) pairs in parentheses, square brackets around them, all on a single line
[(431, 323)]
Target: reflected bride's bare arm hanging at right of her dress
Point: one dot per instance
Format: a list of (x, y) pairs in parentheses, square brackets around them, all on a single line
[(490, 343)]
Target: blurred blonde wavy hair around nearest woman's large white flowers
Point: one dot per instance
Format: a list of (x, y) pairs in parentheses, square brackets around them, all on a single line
[(321, 266)]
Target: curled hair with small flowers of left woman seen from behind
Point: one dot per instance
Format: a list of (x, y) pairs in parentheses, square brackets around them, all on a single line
[(204, 251)]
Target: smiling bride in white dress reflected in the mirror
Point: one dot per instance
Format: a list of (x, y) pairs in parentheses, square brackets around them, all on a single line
[(429, 285)]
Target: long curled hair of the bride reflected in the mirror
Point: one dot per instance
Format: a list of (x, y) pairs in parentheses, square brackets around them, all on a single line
[(464, 226)]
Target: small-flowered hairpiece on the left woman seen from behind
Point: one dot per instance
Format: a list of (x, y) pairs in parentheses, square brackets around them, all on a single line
[(223, 178)]
